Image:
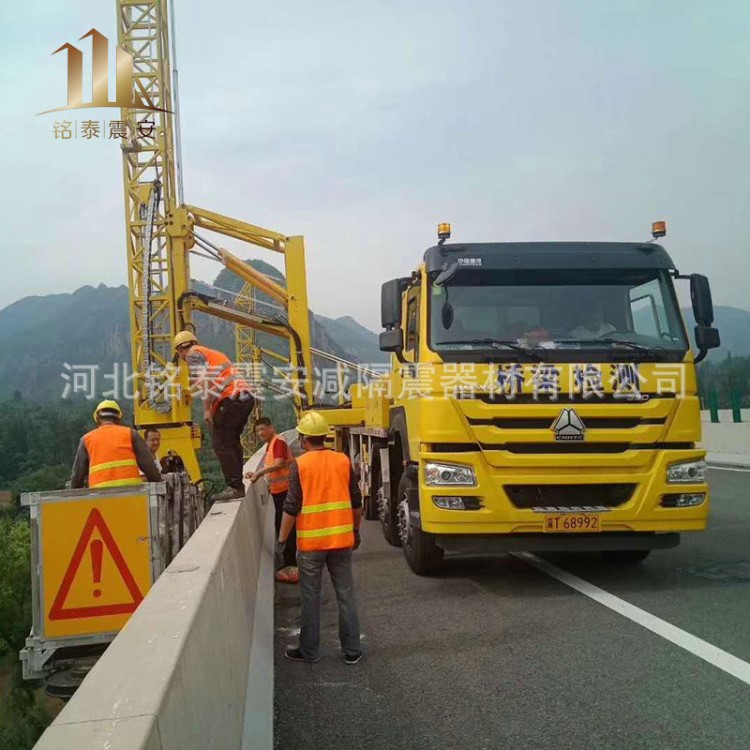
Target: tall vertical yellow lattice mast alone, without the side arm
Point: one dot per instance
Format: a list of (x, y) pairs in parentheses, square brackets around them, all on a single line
[(157, 255)]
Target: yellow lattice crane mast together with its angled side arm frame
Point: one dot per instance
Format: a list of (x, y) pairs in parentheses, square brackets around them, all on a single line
[(160, 234)]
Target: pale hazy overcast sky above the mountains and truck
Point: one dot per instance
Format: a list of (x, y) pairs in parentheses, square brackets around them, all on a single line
[(363, 125)]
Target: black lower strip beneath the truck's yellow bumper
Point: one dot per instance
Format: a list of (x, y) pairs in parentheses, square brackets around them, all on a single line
[(478, 544)]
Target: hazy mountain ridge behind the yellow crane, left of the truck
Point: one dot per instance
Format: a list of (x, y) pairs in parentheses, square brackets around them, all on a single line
[(42, 338)]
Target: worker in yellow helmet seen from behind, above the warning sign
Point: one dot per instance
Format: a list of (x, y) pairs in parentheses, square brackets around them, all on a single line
[(112, 455)]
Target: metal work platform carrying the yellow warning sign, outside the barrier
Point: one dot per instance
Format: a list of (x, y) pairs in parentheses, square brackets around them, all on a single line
[(95, 553)]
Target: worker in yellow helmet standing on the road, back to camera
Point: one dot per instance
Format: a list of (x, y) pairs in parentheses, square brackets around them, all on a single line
[(325, 504)]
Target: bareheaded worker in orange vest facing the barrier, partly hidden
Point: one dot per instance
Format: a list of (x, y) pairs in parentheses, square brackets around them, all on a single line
[(276, 462)]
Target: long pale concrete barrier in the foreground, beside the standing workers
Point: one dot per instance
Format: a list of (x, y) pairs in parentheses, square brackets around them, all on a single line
[(177, 675)]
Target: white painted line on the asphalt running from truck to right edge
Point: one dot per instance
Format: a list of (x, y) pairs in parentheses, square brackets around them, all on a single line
[(696, 646)]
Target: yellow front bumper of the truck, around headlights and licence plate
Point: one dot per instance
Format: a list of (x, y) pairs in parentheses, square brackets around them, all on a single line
[(643, 513)]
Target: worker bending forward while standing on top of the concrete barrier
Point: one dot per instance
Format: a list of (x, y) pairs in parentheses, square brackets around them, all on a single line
[(227, 405)]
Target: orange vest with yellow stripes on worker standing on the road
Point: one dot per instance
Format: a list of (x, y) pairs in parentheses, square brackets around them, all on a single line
[(326, 520)]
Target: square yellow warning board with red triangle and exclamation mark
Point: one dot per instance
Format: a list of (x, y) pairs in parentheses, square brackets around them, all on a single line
[(96, 563)]
